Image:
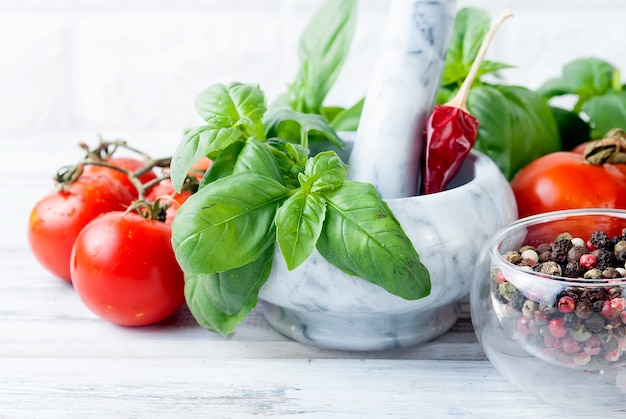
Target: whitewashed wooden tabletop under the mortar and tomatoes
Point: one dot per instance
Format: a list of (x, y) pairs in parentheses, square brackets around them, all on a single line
[(59, 360)]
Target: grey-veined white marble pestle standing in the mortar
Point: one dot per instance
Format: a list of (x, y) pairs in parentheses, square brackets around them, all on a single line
[(402, 90)]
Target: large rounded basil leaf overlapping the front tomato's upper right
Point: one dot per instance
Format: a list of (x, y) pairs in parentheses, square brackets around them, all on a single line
[(227, 224)]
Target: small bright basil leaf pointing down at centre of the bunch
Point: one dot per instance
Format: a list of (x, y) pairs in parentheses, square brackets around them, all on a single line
[(299, 223)]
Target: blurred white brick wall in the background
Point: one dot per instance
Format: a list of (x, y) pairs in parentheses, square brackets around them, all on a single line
[(133, 65)]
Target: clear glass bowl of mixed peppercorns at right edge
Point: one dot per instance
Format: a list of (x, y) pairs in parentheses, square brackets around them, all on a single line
[(555, 329)]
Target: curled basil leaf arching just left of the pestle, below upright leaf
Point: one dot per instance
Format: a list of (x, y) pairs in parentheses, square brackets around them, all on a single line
[(297, 126)]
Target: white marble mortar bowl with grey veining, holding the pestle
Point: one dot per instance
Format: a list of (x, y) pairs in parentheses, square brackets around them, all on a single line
[(320, 305)]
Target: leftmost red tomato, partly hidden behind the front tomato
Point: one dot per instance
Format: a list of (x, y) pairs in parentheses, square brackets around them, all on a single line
[(57, 219)]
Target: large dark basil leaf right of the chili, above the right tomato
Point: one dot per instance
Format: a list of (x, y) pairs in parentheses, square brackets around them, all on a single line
[(516, 125)]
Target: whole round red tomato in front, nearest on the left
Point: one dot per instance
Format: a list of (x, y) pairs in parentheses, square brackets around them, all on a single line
[(124, 270)]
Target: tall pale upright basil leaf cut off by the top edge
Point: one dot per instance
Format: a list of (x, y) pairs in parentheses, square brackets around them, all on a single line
[(323, 48)]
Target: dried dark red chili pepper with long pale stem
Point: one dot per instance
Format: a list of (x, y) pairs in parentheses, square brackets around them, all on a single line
[(450, 130)]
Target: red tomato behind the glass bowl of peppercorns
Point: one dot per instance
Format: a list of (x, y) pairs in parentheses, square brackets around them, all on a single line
[(564, 180)]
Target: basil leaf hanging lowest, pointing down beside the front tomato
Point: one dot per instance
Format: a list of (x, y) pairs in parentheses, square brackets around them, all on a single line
[(221, 301)]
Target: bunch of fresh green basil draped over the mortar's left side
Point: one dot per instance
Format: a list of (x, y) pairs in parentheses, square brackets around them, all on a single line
[(265, 187)]
